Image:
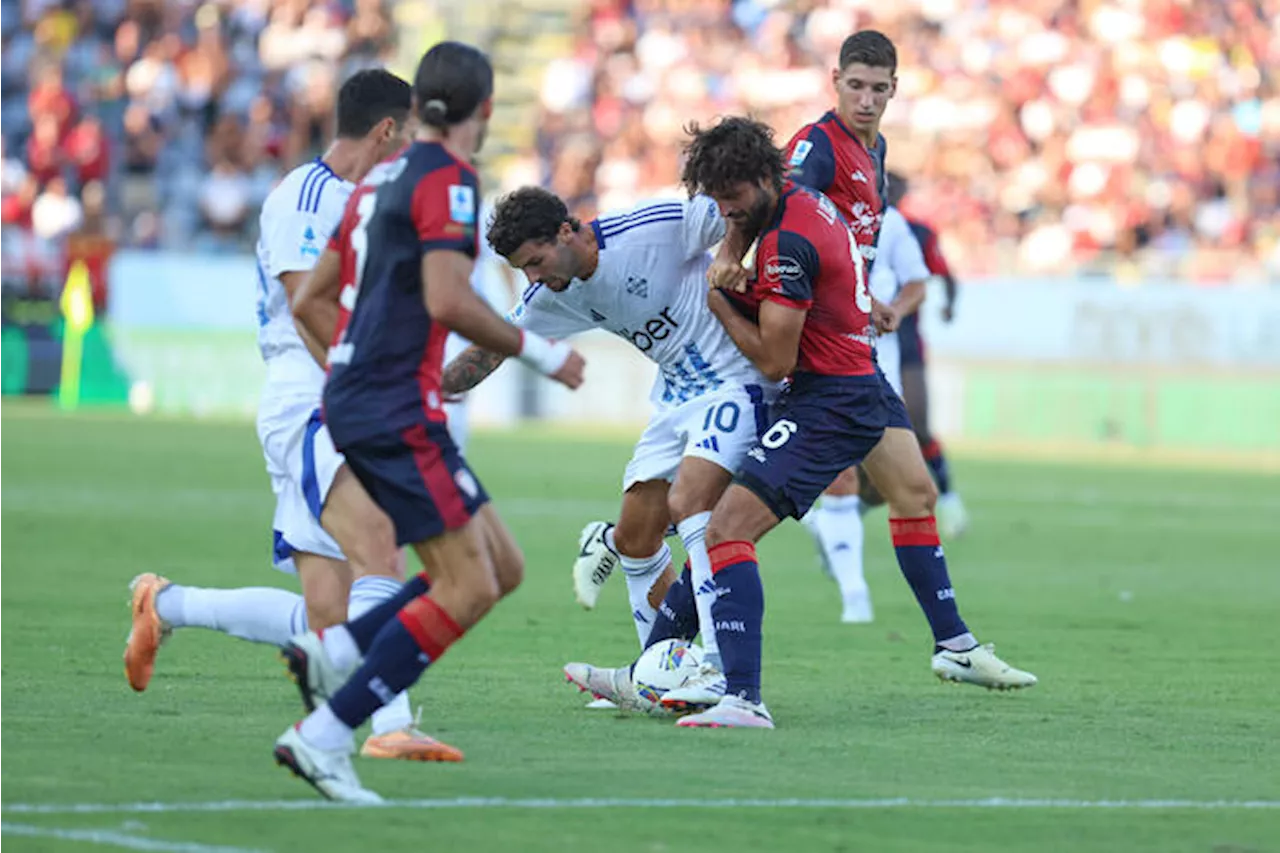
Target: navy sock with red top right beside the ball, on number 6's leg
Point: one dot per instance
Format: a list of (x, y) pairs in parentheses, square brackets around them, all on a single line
[(739, 613)]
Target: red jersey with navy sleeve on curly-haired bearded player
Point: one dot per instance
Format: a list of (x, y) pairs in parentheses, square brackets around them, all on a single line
[(808, 259)]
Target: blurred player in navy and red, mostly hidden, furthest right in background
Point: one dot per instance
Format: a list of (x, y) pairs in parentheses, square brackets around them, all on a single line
[(953, 517)]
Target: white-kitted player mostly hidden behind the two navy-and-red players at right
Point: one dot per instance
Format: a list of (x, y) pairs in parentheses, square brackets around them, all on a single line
[(898, 282)]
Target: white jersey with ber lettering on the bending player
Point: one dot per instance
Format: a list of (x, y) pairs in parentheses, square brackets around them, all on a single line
[(651, 289)]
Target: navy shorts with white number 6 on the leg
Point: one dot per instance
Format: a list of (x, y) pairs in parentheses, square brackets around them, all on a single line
[(821, 427)]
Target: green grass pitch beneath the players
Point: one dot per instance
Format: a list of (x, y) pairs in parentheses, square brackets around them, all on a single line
[(1145, 600)]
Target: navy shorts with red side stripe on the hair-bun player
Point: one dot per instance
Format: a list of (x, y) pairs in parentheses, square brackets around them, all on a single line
[(419, 478)]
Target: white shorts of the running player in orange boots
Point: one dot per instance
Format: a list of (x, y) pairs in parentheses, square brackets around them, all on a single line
[(303, 463)]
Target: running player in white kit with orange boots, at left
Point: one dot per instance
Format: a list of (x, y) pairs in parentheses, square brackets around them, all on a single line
[(319, 504)]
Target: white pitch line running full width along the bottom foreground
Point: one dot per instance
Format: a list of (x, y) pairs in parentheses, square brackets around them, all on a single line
[(552, 804)]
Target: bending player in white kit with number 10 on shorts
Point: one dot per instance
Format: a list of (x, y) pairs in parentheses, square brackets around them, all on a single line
[(642, 276)]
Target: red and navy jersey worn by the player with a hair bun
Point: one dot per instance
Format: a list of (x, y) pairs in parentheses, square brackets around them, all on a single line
[(386, 372)]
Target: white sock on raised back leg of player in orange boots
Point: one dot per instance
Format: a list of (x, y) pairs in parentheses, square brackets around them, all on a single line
[(255, 614)]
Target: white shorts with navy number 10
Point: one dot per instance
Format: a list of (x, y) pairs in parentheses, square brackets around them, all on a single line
[(719, 427)]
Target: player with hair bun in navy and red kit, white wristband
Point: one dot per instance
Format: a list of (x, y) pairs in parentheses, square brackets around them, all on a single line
[(414, 247)]
